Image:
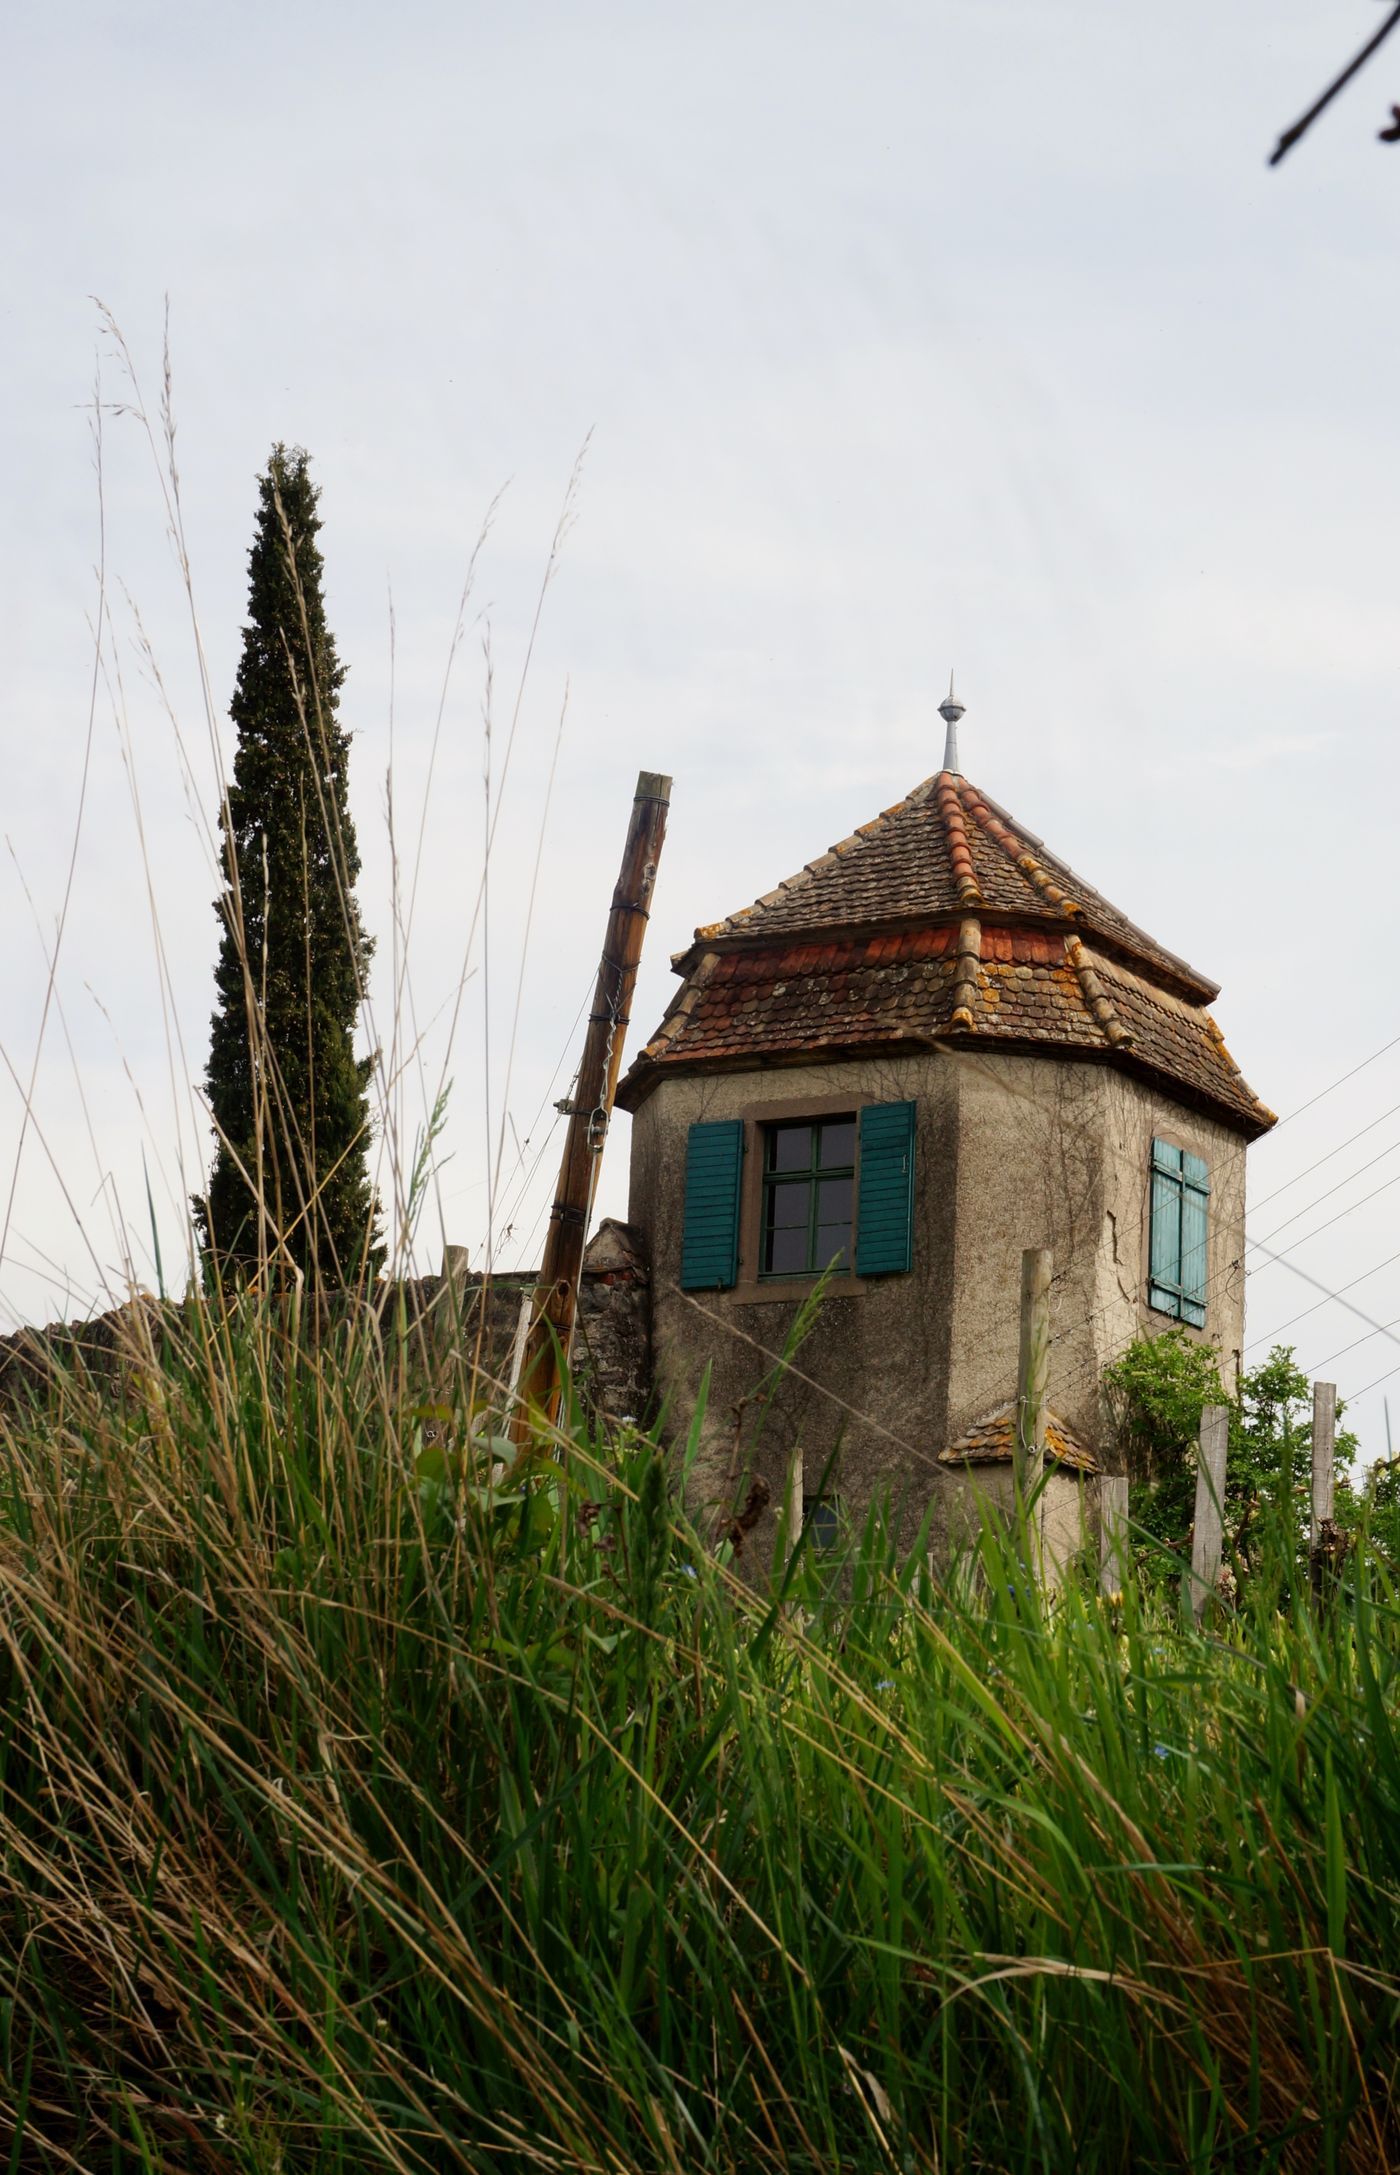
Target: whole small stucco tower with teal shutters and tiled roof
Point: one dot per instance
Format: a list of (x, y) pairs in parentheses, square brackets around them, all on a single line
[(927, 1052)]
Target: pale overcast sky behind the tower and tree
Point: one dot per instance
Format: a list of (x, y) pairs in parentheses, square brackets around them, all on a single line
[(849, 345)]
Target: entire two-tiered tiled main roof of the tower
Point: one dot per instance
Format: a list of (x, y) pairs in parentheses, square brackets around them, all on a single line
[(988, 945)]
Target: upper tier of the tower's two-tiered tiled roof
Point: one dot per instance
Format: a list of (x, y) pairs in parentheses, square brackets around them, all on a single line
[(945, 849)]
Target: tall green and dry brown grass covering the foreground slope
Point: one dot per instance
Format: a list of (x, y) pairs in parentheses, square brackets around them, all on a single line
[(368, 1809)]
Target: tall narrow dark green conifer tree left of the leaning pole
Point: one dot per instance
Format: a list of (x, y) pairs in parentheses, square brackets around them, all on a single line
[(290, 1099)]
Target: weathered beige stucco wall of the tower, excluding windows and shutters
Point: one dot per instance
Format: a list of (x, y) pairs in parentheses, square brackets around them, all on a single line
[(1012, 1152)]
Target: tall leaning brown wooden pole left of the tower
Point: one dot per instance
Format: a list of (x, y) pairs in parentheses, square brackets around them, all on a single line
[(592, 1108)]
